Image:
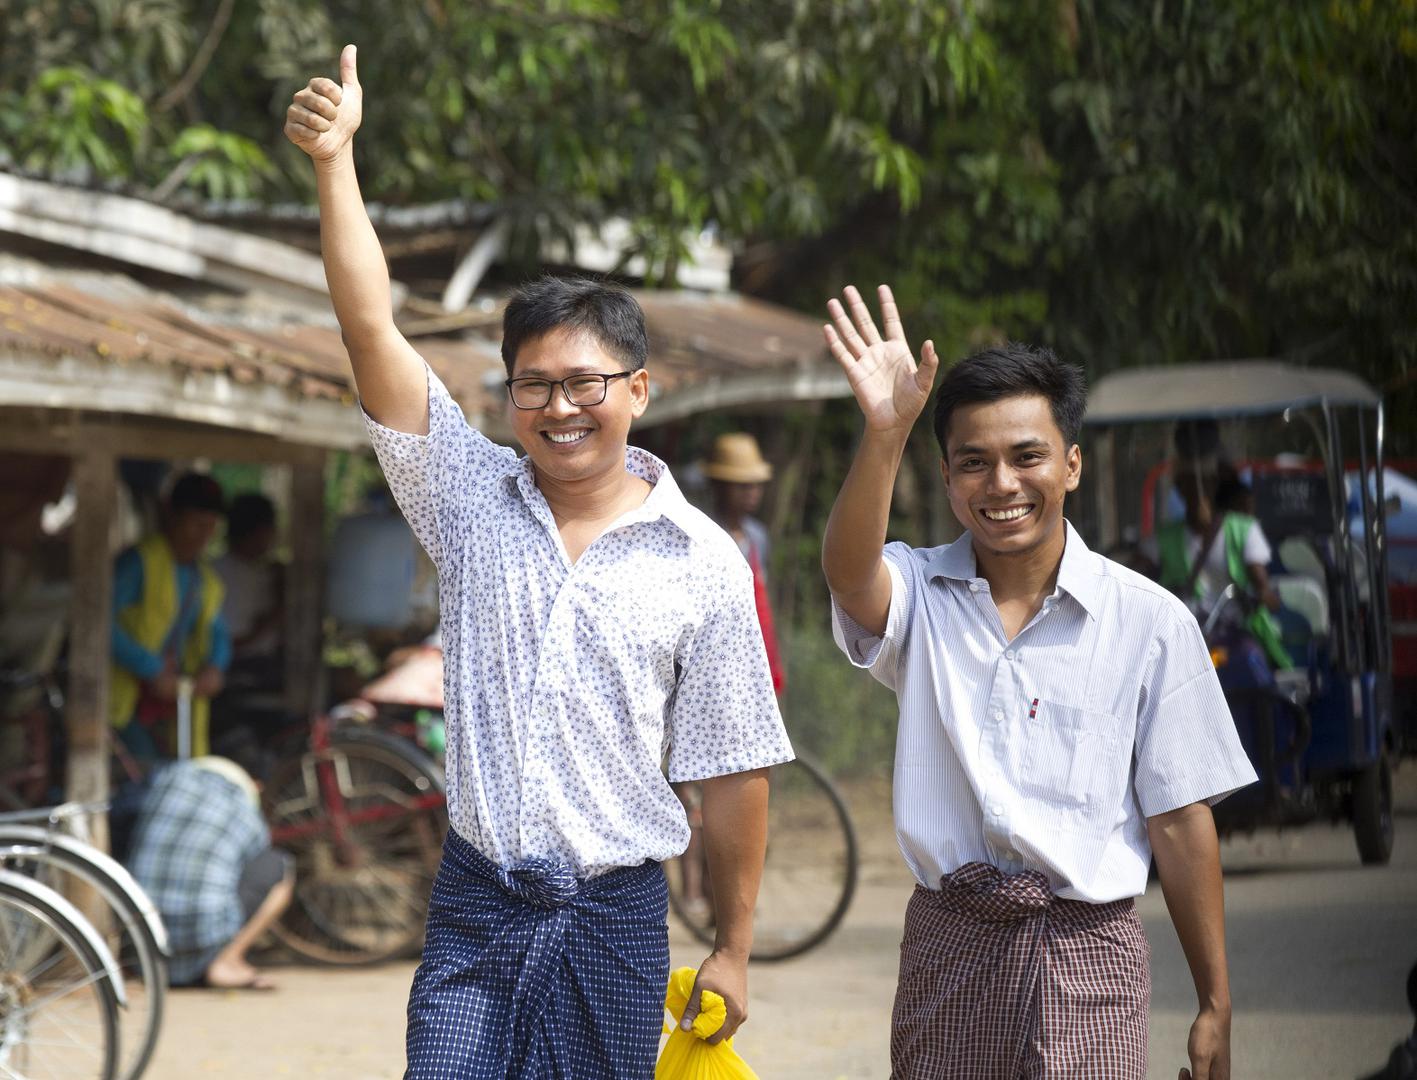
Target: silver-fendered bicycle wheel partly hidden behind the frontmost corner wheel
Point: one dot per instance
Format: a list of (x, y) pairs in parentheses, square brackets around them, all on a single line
[(135, 932)]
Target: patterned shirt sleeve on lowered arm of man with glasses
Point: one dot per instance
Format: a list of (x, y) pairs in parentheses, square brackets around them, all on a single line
[(725, 716)]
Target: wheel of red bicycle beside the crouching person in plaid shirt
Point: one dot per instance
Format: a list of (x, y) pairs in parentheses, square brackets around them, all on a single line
[(365, 820)]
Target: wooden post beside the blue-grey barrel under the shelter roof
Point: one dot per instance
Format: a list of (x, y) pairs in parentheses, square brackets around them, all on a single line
[(305, 592)]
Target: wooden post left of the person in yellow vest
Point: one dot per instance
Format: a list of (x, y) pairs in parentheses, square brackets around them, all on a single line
[(91, 570)]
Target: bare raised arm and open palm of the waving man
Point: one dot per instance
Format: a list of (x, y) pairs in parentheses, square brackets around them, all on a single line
[(892, 392)]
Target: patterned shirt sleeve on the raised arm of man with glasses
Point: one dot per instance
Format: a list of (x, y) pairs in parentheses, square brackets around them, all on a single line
[(430, 476)]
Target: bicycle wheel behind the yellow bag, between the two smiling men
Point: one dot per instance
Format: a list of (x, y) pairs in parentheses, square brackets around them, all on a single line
[(808, 875)]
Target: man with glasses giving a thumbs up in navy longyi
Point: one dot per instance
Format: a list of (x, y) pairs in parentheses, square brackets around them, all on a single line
[(592, 620)]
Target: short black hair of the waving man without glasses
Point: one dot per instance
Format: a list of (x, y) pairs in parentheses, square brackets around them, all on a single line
[(1014, 371)]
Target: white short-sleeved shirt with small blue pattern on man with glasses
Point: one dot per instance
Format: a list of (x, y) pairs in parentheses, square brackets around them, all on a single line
[(566, 684)]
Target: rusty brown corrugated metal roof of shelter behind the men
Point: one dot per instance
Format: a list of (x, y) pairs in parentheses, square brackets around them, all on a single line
[(708, 351)]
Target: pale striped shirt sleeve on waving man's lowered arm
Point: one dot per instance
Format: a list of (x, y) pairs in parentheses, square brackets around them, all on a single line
[(1187, 743)]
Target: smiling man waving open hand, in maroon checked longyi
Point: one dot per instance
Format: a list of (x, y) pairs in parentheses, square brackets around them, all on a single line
[(1061, 722)]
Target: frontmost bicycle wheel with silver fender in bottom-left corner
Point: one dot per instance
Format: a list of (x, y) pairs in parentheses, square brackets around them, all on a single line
[(59, 1000)]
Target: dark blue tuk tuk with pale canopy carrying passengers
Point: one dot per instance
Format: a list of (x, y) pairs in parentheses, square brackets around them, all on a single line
[(1303, 451)]
